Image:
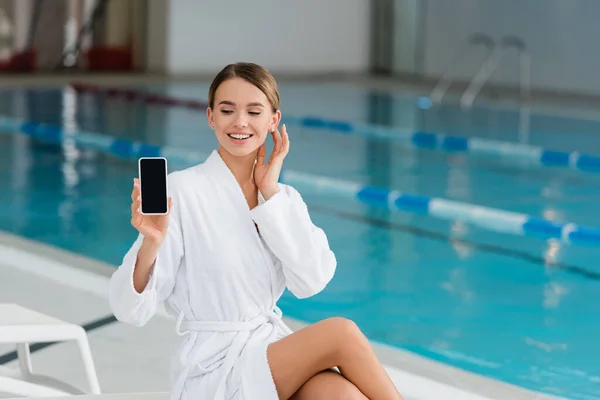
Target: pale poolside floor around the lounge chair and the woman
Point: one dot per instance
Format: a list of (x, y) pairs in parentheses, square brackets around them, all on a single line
[(49, 284)]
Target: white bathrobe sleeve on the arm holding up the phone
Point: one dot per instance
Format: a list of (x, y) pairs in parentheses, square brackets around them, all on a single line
[(137, 308)]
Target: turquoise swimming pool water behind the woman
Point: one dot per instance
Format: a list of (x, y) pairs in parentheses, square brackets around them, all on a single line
[(516, 308)]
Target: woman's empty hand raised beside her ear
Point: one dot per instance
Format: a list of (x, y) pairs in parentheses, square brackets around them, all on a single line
[(266, 175)]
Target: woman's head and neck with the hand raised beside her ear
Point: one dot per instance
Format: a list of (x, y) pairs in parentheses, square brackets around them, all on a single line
[(247, 108)]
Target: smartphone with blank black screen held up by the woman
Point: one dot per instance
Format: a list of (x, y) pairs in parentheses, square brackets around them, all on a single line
[(153, 185)]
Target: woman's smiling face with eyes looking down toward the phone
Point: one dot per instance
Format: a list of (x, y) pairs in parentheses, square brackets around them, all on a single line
[(242, 117)]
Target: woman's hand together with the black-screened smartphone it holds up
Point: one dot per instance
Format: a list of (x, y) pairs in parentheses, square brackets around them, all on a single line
[(151, 205)]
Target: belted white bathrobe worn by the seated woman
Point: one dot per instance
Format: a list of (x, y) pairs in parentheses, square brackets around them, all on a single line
[(221, 279)]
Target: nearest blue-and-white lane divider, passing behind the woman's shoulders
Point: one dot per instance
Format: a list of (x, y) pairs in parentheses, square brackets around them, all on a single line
[(485, 217)]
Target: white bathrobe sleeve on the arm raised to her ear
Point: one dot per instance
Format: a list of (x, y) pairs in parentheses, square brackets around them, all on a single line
[(303, 249)]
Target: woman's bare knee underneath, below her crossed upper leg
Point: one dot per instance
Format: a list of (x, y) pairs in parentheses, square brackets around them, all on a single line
[(328, 385)]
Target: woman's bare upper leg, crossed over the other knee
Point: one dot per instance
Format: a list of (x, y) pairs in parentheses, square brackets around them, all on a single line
[(332, 342)]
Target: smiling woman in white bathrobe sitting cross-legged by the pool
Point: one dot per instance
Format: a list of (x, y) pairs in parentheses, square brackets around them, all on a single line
[(233, 240)]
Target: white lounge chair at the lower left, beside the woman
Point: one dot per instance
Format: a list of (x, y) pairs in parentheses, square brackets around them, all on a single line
[(21, 326)]
